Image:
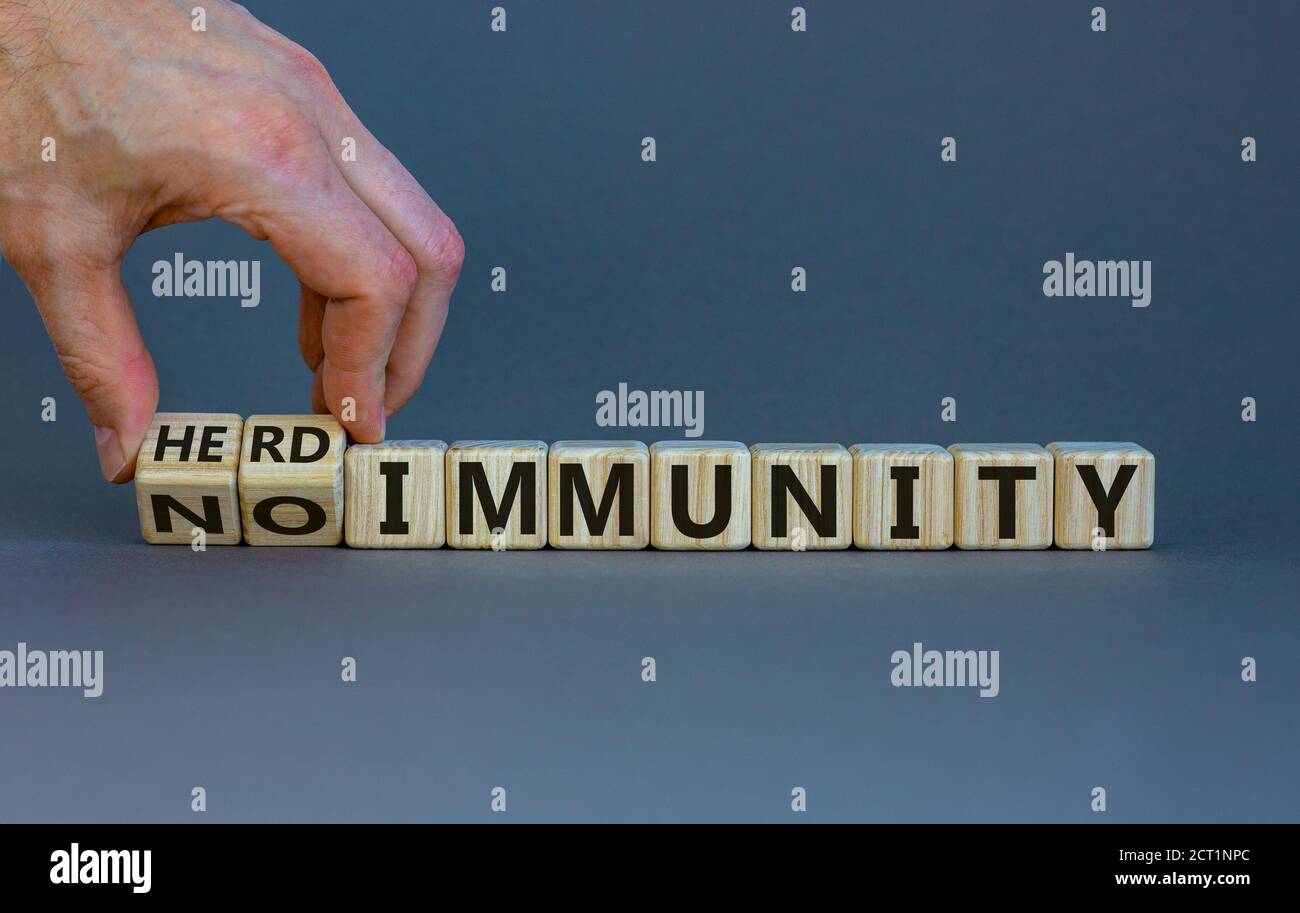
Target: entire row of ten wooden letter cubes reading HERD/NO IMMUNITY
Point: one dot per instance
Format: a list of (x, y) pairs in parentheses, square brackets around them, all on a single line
[(293, 481)]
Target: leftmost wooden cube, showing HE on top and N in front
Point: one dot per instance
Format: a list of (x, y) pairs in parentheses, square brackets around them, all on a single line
[(187, 479)]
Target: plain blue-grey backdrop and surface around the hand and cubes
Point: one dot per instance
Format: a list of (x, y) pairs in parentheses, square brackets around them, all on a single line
[(925, 280)]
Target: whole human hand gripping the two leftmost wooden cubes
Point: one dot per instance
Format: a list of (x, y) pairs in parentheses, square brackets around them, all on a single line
[(158, 124)]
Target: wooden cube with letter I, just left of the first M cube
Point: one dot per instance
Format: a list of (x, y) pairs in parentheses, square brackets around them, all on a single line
[(396, 495)]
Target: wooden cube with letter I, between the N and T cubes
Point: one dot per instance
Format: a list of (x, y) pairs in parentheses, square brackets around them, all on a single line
[(903, 496)]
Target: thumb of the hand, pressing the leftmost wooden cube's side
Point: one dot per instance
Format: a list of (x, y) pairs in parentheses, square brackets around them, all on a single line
[(89, 318)]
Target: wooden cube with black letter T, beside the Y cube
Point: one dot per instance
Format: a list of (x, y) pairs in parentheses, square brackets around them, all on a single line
[(1002, 496)]
